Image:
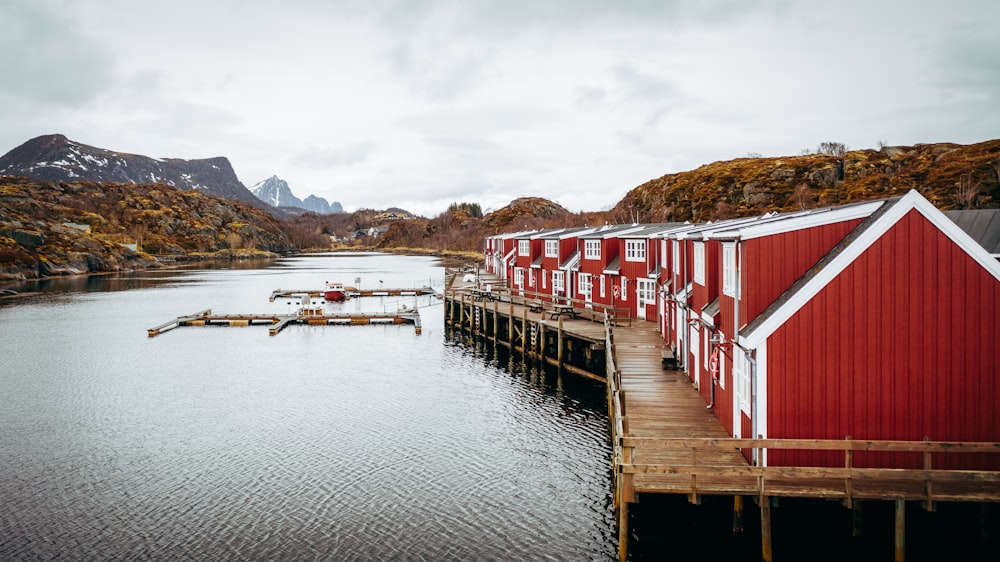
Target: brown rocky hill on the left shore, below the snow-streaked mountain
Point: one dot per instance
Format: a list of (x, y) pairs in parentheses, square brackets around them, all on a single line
[(55, 228)]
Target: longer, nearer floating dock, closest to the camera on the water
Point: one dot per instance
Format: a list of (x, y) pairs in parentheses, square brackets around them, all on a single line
[(278, 322)]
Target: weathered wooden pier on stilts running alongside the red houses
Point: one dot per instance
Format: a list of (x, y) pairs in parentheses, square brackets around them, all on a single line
[(666, 441)]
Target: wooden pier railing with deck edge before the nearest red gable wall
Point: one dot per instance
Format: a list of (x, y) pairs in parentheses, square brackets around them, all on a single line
[(692, 461)]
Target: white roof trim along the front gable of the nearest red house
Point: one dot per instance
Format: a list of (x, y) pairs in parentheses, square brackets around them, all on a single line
[(911, 201)]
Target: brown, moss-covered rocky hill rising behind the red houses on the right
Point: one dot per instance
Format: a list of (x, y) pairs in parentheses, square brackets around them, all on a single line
[(951, 176)]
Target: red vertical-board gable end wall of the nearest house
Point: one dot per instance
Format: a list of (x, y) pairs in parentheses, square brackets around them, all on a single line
[(901, 345)]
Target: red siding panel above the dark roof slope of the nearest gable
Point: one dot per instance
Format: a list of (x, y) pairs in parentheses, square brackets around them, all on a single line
[(771, 264)]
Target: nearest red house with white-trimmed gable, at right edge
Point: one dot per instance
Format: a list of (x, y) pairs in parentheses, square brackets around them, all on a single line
[(876, 321)]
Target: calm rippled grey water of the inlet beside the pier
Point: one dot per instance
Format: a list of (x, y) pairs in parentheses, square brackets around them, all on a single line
[(320, 443)]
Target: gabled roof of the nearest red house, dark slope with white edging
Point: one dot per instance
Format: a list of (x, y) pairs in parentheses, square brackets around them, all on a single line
[(848, 250)]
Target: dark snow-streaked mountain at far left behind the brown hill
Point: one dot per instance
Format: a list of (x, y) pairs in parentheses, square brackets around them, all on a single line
[(56, 158)]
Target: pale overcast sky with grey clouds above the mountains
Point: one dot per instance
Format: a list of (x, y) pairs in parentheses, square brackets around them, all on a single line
[(418, 104)]
